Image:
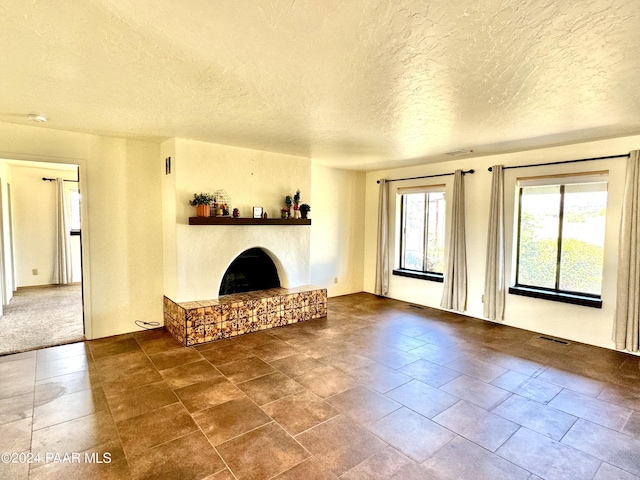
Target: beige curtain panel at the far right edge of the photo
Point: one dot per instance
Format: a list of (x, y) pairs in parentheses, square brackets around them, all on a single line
[(625, 327)]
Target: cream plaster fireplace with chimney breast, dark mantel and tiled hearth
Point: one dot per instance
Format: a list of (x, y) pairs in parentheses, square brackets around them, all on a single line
[(197, 305)]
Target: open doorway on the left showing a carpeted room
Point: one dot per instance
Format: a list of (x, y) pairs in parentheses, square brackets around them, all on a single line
[(40, 264)]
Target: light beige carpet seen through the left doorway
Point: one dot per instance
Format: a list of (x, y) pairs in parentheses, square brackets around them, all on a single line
[(42, 317)]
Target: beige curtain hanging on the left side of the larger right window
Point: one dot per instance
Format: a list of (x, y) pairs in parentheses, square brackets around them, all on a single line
[(494, 279)]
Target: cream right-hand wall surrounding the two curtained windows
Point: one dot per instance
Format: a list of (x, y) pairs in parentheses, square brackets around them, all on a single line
[(578, 323)]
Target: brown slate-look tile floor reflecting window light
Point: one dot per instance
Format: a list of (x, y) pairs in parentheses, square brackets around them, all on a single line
[(376, 390)]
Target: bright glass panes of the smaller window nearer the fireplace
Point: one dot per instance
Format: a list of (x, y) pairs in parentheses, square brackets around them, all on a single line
[(423, 232)]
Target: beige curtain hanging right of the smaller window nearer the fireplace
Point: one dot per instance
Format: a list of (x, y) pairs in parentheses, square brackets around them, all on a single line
[(454, 295)]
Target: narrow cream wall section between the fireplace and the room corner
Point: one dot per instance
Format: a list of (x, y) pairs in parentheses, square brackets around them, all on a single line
[(337, 236)]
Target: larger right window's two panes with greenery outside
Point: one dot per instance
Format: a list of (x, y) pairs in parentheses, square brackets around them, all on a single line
[(569, 219)]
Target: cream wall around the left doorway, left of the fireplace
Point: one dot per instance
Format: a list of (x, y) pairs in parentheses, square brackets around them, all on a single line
[(122, 230)]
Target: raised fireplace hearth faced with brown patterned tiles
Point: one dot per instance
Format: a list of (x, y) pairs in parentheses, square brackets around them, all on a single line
[(193, 323)]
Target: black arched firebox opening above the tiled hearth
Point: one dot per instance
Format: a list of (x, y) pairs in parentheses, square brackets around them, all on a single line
[(252, 270)]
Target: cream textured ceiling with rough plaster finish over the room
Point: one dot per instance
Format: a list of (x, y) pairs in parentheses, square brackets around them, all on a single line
[(357, 84)]
